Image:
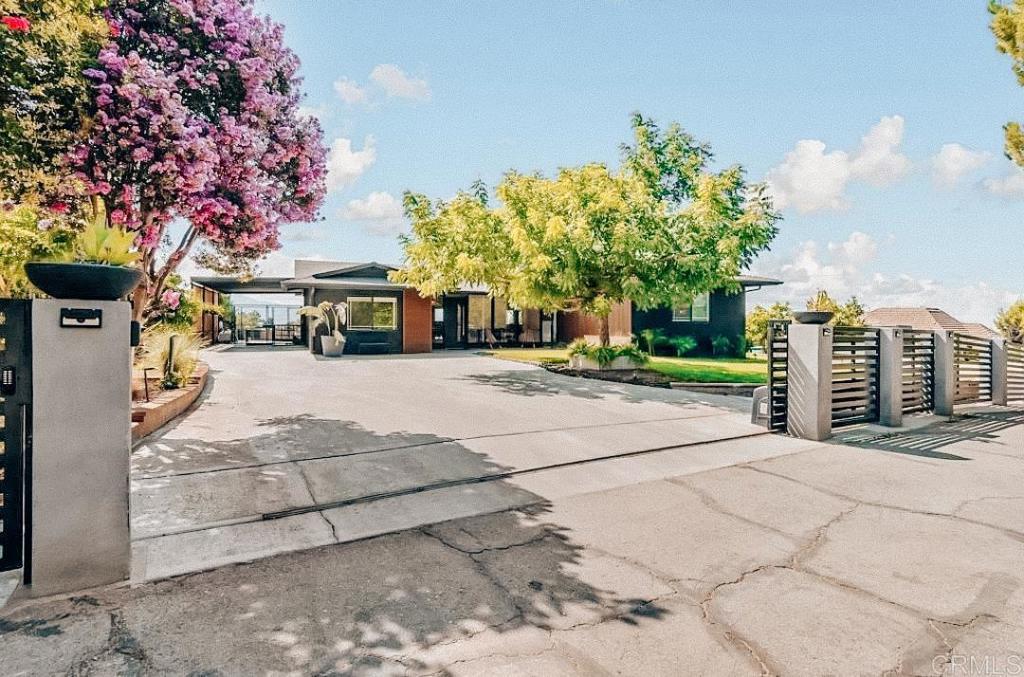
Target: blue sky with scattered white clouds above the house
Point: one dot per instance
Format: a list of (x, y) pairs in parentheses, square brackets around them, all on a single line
[(432, 96)]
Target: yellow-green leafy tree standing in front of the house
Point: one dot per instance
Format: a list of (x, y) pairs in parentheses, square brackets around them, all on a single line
[(661, 229)]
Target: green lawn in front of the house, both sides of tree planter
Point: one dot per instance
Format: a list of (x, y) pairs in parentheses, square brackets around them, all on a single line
[(694, 370)]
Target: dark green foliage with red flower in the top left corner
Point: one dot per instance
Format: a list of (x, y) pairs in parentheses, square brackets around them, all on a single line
[(45, 96)]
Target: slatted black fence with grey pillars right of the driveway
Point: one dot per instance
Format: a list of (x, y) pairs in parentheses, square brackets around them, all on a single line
[(824, 377)]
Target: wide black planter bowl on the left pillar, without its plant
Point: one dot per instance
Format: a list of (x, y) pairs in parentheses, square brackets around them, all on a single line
[(95, 282)]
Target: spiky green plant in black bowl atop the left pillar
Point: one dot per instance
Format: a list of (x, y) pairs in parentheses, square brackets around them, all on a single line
[(98, 268)]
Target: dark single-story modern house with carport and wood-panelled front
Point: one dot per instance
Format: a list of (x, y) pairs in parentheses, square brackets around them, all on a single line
[(387, 317)]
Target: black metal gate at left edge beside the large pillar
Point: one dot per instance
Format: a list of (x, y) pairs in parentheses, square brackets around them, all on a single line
[(16, 399)]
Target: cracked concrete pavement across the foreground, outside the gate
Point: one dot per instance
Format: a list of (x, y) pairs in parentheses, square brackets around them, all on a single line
[(889, 555)]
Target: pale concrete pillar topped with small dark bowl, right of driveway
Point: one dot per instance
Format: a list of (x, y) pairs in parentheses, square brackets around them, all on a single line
[(809, 397)]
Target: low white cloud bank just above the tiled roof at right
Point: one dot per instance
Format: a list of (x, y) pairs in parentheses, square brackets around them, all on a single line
[(844, 270)]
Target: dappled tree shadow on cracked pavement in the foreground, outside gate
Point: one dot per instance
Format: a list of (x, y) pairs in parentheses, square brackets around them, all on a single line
[(390, 605)]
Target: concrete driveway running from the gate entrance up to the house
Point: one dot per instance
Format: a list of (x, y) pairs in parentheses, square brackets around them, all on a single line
[(288, 452)]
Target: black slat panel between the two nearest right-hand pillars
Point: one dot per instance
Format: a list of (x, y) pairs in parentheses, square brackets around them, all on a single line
[(856, 375)]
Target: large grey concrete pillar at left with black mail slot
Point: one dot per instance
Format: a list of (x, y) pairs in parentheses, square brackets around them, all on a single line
[(81, 380)]
